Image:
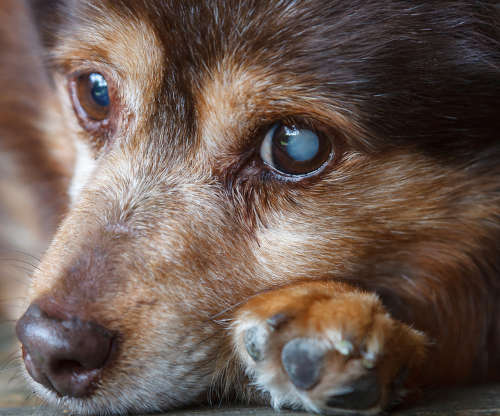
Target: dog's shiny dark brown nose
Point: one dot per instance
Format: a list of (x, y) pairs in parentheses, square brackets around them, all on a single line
[(66, 356)]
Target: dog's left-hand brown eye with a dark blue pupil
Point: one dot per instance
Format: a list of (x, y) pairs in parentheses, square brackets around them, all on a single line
[(91, 98)]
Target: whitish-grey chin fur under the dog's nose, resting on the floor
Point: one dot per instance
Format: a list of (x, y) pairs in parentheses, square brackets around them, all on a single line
[(149, 396)]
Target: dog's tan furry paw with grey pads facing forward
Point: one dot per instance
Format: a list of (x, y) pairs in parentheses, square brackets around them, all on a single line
[(326, 348)]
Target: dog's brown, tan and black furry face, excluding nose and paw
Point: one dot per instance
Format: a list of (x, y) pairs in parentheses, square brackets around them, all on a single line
[(228, 147)]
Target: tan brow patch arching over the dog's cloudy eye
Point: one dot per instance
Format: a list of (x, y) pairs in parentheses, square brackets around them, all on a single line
[(231, 97)]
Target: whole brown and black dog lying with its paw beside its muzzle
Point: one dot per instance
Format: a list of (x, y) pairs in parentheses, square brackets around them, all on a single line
[(292, 203)]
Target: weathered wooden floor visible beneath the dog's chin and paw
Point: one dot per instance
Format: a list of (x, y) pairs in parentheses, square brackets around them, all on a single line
[(15, 400)]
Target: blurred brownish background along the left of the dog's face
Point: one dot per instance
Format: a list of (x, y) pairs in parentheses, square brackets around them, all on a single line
[(31, 180)]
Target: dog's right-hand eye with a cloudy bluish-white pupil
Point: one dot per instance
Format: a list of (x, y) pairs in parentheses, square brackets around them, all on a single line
[(295, 151)]
